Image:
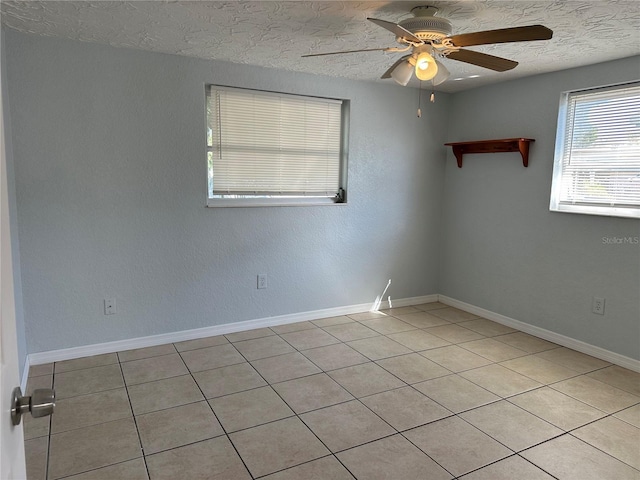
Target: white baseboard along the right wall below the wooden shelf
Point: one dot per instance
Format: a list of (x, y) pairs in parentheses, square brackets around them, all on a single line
[(598, 352)]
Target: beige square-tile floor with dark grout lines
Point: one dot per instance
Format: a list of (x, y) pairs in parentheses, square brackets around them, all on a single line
[(424, 392)]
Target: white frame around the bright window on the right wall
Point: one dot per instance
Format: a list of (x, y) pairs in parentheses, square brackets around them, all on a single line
[(556, 203)]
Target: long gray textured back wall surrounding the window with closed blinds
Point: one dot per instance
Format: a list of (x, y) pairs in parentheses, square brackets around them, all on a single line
[(111, 187)]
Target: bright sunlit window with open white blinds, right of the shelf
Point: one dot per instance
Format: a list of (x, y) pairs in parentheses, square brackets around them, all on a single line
[(597, 159)]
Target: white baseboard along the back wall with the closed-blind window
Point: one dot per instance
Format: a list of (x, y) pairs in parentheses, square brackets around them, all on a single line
[(153, 340)]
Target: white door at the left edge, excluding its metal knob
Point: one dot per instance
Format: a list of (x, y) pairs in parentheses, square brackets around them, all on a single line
[(12, 463)]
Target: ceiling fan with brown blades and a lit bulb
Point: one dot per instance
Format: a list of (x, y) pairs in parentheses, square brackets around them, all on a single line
[(428, 37)]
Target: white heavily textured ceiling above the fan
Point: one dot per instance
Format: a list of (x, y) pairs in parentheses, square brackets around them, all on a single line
[(276, 33)]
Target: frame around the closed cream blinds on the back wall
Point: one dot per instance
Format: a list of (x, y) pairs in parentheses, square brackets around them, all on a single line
[(249, 200)]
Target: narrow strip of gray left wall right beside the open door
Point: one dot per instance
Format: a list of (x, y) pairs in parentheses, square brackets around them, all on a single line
[(11, 191)]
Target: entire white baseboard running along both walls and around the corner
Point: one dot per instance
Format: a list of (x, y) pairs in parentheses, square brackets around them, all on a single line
[(153, 340)]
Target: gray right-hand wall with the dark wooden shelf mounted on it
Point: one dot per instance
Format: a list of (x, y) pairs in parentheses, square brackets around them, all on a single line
[(503, 250)]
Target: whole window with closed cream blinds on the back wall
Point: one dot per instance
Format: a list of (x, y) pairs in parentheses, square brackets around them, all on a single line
[(268, 148)]
